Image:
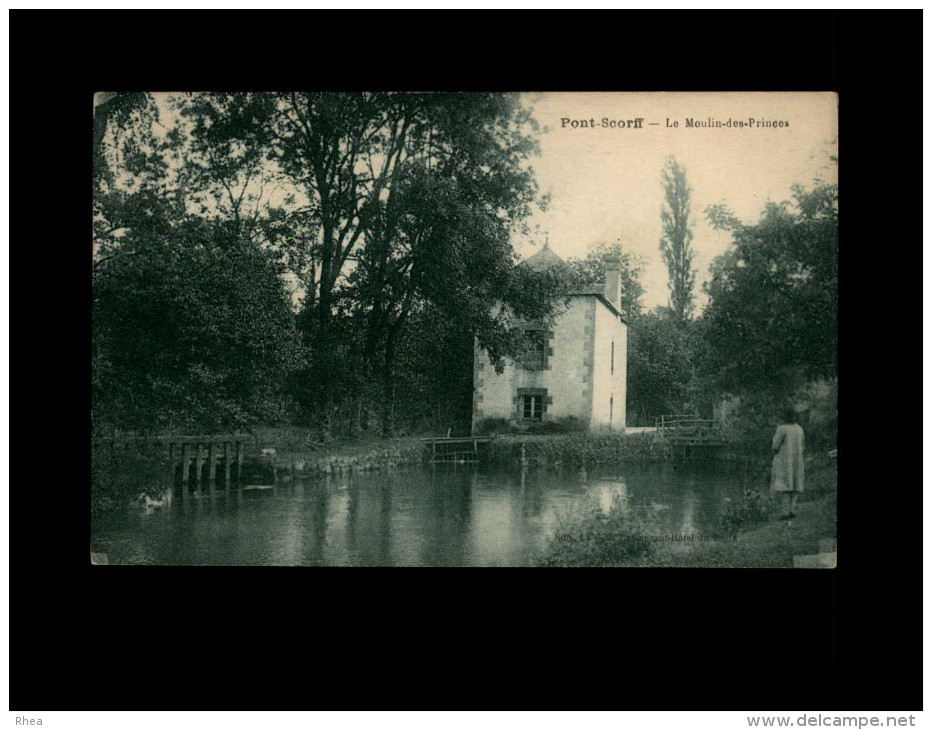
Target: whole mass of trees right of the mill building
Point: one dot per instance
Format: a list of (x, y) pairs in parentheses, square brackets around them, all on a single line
[(766, 339)]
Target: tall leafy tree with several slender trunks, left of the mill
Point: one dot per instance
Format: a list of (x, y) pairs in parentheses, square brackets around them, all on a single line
[(413, 198)]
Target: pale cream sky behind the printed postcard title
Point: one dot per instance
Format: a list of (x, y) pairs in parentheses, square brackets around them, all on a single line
[(605, 182)]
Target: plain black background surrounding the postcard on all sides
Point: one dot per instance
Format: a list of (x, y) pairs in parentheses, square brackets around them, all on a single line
[(140, 638)]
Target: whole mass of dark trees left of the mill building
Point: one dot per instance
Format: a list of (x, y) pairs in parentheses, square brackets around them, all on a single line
[(387, 216)]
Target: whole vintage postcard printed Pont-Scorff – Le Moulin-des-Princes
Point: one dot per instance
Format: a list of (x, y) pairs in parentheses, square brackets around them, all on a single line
[(464, 329)]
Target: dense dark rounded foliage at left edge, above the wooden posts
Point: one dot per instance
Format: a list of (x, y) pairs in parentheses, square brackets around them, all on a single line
[(191, 333)]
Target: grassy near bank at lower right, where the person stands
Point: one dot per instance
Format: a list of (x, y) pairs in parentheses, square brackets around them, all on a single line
[(624, 537)]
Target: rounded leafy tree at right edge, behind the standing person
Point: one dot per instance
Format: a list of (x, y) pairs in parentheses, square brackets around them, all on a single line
[(771, 317)]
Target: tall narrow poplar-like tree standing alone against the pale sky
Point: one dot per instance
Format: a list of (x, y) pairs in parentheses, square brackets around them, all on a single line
[(676, 237)]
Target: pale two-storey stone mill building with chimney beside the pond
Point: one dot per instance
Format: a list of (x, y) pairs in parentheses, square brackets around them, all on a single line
[(577, 367)]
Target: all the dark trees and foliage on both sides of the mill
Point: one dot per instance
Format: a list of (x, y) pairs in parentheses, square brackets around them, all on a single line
[(329, 260)]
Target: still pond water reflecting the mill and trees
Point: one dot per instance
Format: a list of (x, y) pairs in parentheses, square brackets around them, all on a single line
[(435, 516)]
